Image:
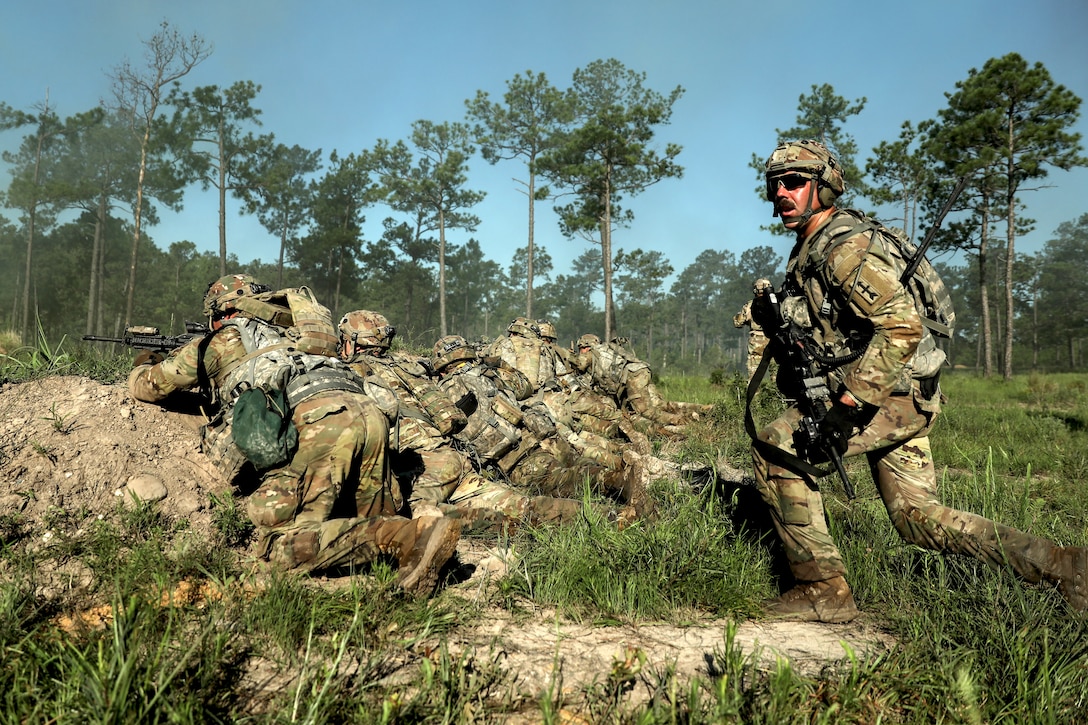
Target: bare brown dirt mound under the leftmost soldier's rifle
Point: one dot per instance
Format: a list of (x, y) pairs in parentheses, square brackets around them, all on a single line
[(72, 448)]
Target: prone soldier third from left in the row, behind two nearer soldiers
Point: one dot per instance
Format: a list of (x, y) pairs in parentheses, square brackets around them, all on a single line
[(522, 439)]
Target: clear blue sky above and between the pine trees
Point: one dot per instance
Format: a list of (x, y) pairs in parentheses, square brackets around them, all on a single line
[(339, 76)]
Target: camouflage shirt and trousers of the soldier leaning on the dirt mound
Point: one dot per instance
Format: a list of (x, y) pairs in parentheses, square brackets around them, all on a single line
[(331, 506)]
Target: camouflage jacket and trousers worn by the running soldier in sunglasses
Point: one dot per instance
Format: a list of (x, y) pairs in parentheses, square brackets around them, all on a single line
[(859, 284)]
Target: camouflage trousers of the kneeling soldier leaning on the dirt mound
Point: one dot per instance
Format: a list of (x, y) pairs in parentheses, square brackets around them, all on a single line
[(323, 510)]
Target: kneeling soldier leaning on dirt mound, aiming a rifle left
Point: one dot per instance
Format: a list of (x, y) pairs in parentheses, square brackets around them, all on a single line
[(340, 463)]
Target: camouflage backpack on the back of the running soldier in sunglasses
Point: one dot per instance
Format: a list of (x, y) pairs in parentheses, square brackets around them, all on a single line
[(932, 298)]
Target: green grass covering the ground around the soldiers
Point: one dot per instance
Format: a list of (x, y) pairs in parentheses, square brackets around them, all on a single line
[(975, 645)]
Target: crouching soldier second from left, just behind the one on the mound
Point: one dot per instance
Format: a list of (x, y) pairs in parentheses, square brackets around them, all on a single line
[(424, 421)]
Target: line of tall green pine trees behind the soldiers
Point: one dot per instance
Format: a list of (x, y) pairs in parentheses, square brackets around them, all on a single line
[(84, 190)]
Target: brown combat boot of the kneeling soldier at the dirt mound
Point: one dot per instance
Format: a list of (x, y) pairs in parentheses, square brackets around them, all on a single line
[(422, 547)]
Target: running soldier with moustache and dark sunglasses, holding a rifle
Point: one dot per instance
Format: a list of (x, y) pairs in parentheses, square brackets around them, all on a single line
[(843, 288)]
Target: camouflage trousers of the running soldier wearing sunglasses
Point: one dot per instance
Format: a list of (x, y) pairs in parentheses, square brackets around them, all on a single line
[(897, 447)]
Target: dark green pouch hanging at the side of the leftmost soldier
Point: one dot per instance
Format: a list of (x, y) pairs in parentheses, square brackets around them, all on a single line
[(263, 428)]
